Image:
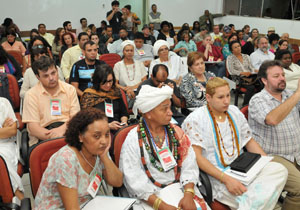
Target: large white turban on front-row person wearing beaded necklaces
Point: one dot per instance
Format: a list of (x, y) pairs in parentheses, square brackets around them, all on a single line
[(150, 97)]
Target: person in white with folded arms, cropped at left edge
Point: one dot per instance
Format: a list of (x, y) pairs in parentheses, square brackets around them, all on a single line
[(8, 146)]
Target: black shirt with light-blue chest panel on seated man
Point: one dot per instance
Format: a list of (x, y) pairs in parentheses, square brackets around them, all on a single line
[(82, 73)]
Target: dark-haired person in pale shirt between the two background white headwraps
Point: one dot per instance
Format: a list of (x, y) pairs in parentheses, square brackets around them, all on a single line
[(143, 52)]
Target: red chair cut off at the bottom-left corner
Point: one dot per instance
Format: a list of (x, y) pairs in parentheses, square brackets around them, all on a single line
[(6, 190)]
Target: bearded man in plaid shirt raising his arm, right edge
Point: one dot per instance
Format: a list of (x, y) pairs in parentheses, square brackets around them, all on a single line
[(274, 120)]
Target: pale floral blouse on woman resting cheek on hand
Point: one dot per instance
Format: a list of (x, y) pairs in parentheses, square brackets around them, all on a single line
[(64, 168)]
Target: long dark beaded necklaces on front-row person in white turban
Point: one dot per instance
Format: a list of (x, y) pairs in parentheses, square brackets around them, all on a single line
[(173, 142)]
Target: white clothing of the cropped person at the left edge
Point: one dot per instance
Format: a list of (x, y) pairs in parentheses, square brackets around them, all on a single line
[(8, 147)]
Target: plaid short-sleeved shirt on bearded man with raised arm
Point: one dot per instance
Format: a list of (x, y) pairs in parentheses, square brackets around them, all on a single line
[(282, 139)]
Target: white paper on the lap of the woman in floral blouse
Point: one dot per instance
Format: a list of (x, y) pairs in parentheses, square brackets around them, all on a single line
[(109, 202)]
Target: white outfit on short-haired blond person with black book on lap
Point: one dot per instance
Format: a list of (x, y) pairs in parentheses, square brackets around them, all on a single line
[(264, 191)]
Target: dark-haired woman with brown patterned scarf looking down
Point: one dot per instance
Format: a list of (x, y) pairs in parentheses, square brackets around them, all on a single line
[(103, 95)]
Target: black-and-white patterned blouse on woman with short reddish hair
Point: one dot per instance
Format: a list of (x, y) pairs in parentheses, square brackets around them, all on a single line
[(193, 90)]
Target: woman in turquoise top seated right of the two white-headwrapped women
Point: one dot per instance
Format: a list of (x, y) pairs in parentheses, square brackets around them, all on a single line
[(185, 45)]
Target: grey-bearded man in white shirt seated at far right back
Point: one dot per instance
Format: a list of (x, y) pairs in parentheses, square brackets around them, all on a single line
[(262, 53)]
